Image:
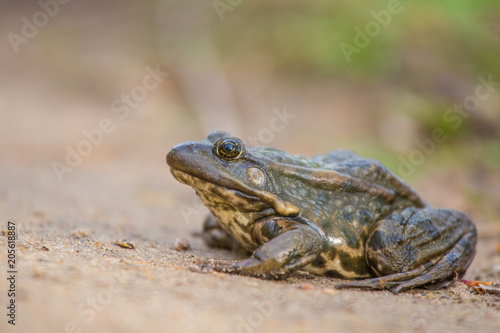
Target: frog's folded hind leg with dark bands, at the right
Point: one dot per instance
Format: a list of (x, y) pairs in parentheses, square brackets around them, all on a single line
[(417, 247)]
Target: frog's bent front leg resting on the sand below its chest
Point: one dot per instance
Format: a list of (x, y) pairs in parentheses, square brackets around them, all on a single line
[(286, 247)]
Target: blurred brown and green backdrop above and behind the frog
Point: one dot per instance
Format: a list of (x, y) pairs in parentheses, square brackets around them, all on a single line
[(231, 63)]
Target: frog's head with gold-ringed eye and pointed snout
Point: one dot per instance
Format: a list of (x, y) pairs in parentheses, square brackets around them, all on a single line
[(228, 176)]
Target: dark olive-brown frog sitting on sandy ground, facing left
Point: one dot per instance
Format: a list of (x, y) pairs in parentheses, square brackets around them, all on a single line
[(337, 215)]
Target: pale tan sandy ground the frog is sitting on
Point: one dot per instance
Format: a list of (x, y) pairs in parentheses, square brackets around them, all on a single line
[(72, 277)]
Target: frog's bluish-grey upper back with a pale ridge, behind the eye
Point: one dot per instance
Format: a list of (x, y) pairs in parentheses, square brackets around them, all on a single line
[(350, 170)]
